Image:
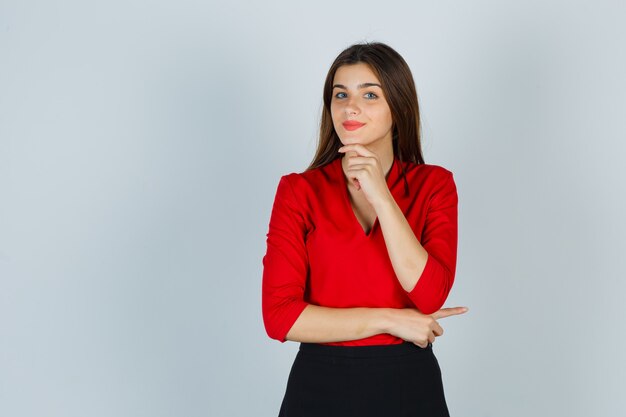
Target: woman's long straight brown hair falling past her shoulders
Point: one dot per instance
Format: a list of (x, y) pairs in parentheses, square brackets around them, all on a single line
[(399, 89)]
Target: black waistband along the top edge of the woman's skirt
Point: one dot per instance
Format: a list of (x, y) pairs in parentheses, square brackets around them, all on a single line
[(362, 351)]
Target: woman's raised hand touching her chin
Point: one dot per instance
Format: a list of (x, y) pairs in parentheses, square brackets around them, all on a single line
[(366, 173)]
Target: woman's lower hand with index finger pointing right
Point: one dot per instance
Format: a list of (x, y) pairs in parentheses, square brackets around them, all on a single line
[(411, 325)]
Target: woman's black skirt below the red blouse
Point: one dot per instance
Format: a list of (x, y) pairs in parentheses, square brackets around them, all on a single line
[(401, 380)]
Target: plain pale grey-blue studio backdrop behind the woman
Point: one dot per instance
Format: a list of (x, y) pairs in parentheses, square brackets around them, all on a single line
[(141, 144)]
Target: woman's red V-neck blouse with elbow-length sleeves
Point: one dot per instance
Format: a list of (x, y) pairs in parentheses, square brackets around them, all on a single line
[(318, 253)]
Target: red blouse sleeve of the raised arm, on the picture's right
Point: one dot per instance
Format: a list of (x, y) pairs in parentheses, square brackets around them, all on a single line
[(439, 238)]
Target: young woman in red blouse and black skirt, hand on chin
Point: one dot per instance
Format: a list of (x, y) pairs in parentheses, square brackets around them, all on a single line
[(361, 251)]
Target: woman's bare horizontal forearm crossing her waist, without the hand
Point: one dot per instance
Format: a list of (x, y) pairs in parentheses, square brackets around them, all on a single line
[(318, 324)]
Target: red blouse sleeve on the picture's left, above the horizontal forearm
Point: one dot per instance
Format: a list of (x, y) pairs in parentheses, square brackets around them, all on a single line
[(285, 264)]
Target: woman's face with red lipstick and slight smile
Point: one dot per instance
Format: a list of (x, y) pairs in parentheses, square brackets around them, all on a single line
[(359, 109)]
